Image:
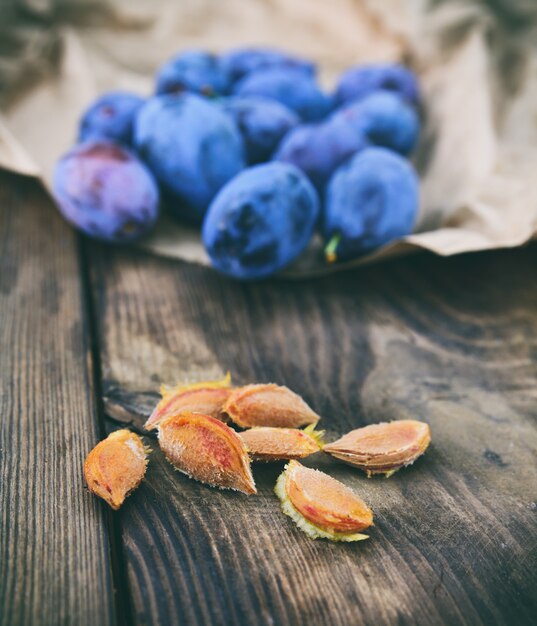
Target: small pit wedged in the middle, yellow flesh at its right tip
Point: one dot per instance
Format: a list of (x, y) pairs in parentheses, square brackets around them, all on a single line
[(265, 443)]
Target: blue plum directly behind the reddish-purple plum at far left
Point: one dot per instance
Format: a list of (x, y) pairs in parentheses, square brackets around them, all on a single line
[(111, 116)]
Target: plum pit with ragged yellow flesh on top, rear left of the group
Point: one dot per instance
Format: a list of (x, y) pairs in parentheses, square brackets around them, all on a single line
[(205, 397)]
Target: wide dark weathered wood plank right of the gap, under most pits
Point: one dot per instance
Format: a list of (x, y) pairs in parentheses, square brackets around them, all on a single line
[(451, 342)]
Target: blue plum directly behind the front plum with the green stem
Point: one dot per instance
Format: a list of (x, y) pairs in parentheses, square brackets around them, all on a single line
[(383, 119)]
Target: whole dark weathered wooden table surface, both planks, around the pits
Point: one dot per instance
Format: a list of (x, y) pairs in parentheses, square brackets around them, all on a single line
[(89, 331)]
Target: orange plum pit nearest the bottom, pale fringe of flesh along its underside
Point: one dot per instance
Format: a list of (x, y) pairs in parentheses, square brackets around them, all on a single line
[(320, 505)]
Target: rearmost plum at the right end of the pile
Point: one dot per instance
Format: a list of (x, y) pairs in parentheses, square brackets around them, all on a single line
[(362, 80)]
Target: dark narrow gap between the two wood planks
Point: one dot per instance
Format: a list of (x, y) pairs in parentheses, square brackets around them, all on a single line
[(121, 591)]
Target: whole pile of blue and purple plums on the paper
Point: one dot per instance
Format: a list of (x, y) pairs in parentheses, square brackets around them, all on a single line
[(248, 146)]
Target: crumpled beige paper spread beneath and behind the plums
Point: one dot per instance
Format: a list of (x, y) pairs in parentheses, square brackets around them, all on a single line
[(478, 154)]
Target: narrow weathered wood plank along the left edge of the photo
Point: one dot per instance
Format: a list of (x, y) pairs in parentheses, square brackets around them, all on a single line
[(54, 554)]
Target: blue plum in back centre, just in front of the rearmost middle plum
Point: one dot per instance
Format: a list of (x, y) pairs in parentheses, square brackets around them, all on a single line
[(292, 87)]
